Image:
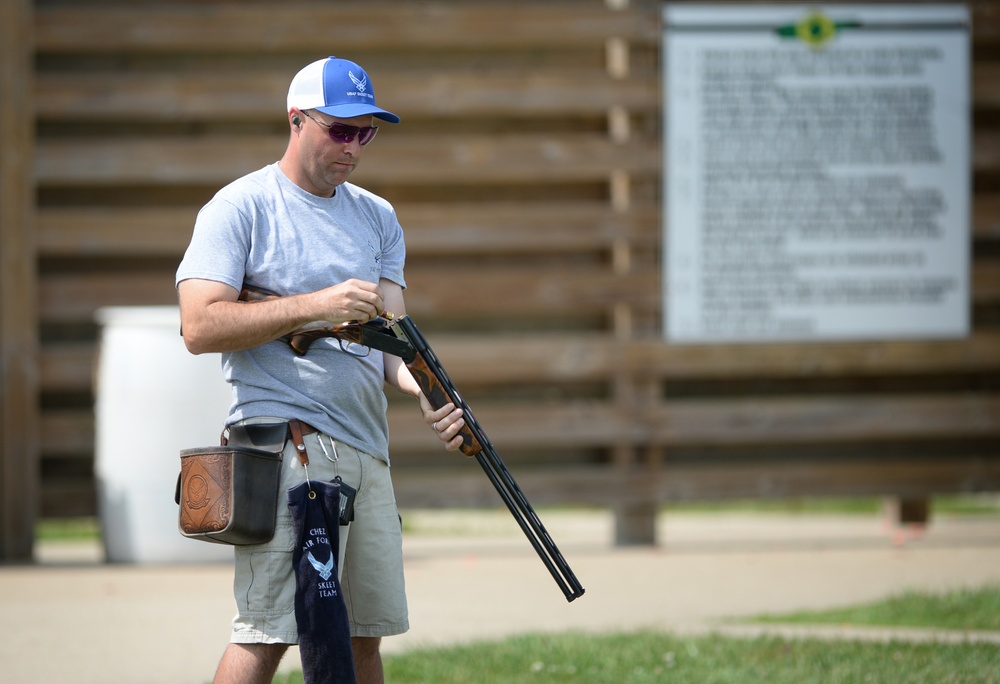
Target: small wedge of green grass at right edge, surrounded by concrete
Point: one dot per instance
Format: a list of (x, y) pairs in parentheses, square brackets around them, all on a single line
[(966, 609)]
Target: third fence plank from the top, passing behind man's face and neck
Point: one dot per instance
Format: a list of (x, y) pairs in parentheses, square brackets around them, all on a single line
[(459, 159)]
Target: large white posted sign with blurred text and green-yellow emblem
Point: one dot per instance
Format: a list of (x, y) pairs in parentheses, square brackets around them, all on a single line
[(816, 172)]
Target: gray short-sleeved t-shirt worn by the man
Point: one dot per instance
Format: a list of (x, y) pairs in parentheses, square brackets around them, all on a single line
[(264, 232)]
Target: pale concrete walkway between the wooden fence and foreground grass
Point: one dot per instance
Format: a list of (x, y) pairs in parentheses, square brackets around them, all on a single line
[(73, 618)]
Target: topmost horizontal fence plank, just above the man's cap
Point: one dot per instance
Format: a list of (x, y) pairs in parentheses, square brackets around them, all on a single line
[(350, 26)]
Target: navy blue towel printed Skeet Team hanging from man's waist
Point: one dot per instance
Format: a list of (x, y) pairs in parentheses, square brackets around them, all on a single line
[(320, 612)]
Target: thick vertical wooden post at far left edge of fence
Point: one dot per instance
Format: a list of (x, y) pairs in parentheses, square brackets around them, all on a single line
[(19, 442)]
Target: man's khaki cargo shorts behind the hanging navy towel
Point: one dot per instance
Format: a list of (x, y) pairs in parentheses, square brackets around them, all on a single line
[(371, 552)]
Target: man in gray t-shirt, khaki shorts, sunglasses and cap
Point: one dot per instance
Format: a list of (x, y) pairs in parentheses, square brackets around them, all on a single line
[(333, 252)]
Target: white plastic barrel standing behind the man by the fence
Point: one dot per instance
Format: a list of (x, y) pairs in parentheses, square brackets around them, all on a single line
[(154, 398)]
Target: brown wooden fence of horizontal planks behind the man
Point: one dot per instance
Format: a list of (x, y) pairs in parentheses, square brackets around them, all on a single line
[(526, 174)]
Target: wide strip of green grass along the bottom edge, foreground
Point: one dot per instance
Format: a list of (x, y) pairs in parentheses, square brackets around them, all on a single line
[(641, 657)]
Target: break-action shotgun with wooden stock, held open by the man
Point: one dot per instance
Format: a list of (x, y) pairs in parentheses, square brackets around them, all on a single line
[(403, 338)]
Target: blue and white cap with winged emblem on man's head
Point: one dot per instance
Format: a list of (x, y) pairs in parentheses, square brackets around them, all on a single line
[(337, 87)]
